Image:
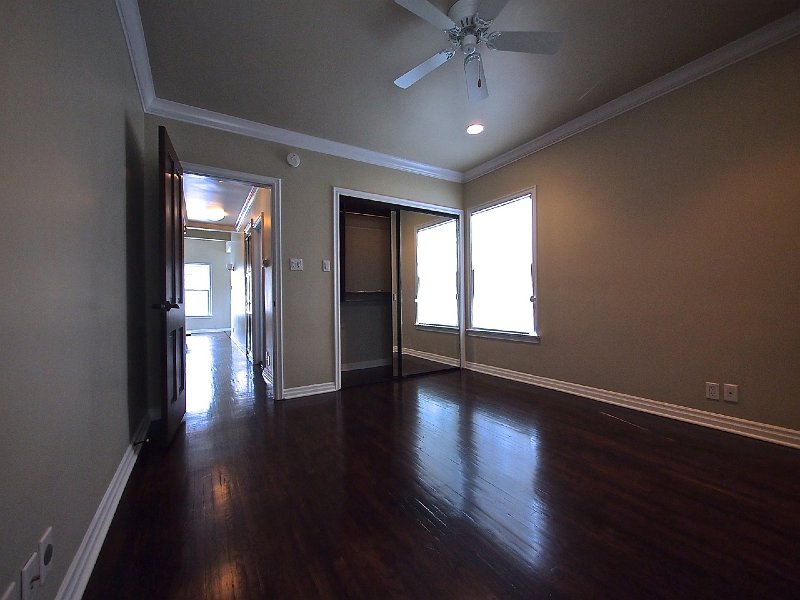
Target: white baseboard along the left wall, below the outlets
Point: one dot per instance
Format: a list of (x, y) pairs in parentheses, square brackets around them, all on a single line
[(79, 571)]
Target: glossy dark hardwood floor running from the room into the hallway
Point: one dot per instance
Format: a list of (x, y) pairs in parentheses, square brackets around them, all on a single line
[(454, 485)]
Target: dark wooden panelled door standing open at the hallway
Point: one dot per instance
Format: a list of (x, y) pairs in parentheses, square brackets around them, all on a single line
[(173, 214)]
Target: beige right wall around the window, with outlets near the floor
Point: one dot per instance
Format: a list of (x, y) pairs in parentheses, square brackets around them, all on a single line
[(669, 246)]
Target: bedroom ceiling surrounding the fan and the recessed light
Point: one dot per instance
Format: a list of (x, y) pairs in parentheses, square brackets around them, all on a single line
[(326, 68)]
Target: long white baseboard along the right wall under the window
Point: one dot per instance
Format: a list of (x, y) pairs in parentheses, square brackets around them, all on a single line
[(753, 429)]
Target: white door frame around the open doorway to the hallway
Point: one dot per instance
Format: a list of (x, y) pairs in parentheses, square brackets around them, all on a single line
[(274, 184)]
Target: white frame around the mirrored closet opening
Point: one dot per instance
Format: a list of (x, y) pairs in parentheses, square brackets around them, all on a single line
[(401, 202)]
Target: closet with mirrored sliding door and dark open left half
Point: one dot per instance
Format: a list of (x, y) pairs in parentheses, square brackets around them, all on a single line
[(398, 290)]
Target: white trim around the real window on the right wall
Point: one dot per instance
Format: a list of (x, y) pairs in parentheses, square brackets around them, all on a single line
[(491, 333)]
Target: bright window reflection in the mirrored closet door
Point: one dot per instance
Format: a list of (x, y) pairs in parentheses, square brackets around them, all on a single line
[(437, 275)]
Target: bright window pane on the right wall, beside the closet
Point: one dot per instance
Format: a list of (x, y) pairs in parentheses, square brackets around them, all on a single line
[(502, 263)]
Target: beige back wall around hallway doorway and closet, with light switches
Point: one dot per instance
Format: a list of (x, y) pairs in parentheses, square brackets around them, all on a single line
[(307, 226)]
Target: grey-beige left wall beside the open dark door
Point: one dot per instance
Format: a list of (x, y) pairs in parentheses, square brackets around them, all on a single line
[(71, 127)]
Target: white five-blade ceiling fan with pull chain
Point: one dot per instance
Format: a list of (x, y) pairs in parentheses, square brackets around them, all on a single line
[(467, 25)]
